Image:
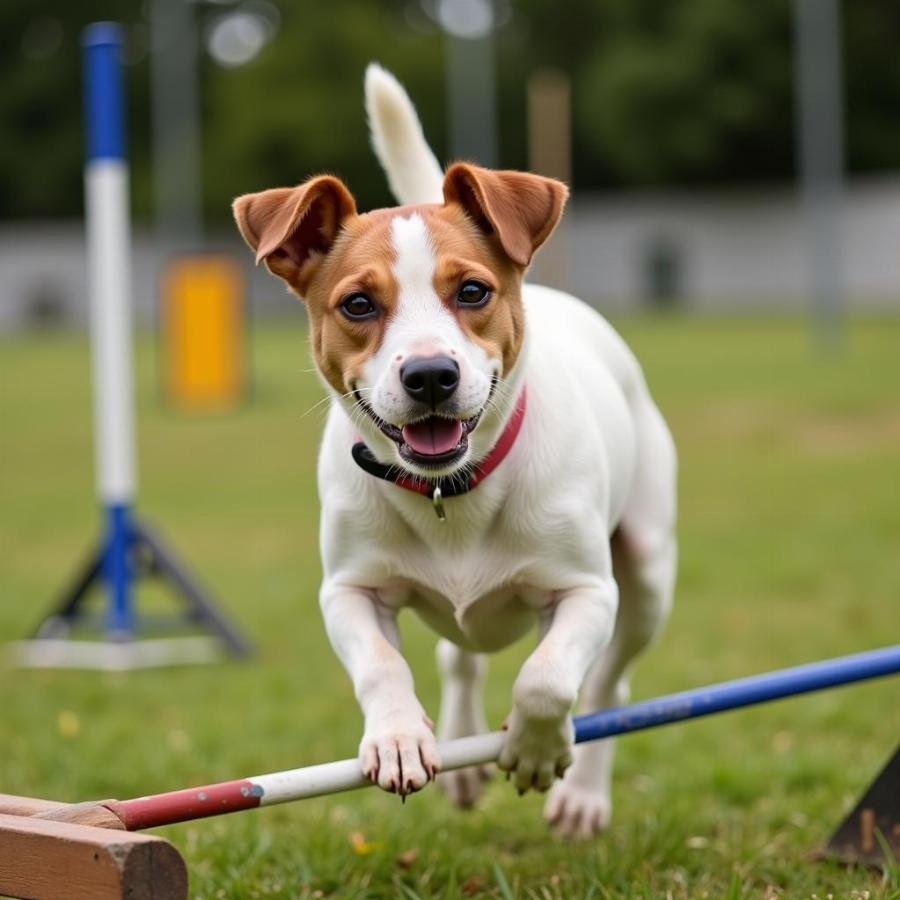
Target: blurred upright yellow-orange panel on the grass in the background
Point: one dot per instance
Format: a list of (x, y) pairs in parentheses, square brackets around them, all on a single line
[(203, 332)]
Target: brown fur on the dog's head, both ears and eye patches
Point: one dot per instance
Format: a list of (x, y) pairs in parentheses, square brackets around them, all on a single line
[(487, 230)]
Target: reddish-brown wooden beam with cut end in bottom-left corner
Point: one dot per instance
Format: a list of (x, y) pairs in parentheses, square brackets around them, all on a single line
[(46, 860)]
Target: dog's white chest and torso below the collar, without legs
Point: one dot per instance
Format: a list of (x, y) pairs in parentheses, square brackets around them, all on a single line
[(534, 527)]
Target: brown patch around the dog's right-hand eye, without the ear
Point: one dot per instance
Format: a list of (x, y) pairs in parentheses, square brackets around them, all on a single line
[(464, 253)]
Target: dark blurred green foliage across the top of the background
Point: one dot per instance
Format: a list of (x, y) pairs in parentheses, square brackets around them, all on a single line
[(688, 92)]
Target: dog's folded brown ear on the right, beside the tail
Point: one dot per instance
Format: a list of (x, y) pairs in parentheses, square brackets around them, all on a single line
[(520, 208)]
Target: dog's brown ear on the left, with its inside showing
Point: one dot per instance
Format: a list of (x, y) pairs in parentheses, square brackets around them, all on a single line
[(291, 229)]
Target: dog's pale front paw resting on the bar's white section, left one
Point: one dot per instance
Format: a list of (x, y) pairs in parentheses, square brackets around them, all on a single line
[(399, 753)]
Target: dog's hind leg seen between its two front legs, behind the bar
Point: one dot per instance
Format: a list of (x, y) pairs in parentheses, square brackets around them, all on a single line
[(462, 714)]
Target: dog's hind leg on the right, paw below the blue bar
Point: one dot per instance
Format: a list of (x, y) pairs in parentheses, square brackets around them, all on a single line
[(644, 563)]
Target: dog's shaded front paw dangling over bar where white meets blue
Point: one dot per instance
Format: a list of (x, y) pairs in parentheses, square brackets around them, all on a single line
[(536, 750)]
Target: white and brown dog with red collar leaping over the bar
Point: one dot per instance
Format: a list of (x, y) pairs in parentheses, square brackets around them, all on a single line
[(492, 460)]
